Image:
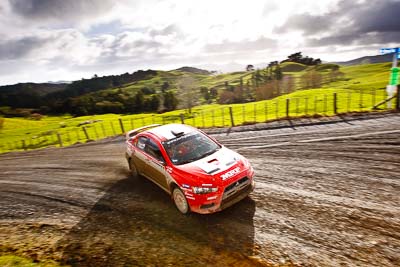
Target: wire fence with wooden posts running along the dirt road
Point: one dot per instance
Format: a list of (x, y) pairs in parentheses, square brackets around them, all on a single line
[(226, 116)]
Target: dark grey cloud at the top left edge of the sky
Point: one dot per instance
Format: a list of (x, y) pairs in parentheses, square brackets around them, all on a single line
[(60, 9)]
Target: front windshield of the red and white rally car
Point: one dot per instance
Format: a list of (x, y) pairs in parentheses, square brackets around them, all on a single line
[(189, 147)]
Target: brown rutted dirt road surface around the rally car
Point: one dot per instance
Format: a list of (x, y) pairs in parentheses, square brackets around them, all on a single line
[(326, 195)]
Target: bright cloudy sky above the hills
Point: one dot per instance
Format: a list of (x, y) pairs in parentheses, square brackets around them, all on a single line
[(53, 40)]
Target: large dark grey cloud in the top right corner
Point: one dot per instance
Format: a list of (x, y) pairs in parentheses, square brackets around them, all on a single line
[(352, 23)]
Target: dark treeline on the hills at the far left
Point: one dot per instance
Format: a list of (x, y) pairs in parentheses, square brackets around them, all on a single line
[(79, 97)]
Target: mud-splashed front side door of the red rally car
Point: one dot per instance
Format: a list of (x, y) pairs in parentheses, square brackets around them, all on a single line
[(155, 168)]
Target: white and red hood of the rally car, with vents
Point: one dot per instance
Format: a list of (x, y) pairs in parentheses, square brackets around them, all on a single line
[(214, 164)]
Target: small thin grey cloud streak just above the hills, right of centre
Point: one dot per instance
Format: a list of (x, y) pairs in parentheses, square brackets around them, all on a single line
[(262, 43)]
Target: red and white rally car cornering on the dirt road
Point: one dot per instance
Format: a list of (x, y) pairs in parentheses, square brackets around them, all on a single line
[(199, 173)]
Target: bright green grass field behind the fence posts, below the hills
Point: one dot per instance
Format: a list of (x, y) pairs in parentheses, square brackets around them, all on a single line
[(363, 88)]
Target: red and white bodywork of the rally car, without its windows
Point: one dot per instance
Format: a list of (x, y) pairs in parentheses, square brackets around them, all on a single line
[(227, 171)]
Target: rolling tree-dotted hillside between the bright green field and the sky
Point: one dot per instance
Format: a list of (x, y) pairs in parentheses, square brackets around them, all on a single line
[(155, 91)]
